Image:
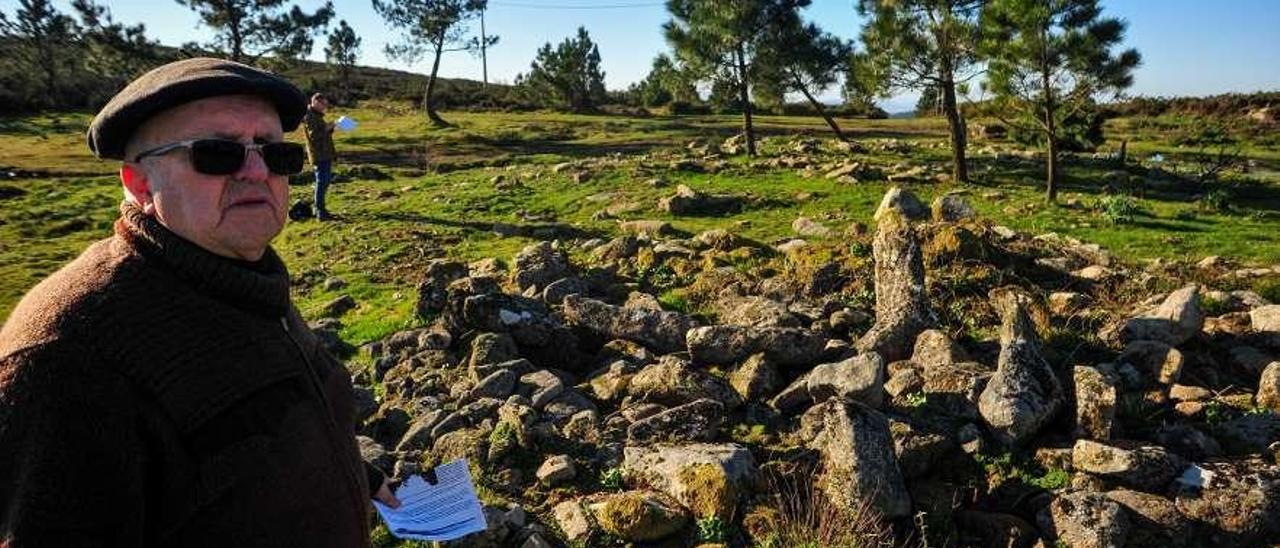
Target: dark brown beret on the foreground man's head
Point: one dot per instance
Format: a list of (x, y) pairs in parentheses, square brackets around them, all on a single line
[(181, 83)]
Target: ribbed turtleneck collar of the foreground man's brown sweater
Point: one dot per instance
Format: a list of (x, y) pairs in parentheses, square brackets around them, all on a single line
[(260, 287)]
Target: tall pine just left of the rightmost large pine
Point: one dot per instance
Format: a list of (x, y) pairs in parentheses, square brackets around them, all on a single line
[(917, 44)]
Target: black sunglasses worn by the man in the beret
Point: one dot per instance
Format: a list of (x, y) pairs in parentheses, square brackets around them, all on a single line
[(216, 157)]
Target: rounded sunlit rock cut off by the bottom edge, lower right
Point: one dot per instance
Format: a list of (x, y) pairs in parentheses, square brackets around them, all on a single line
[(1086, 520)]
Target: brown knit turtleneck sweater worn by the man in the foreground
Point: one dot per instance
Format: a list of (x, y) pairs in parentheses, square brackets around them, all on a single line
[(153, 394)]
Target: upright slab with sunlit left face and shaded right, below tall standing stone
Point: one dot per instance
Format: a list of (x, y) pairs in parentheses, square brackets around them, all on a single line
[(858, 460)]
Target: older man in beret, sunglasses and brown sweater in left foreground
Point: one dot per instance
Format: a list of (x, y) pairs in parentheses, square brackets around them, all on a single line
[(162, 390)]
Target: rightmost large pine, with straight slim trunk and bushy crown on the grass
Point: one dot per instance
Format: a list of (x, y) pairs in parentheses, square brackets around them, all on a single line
[(1049, 62)]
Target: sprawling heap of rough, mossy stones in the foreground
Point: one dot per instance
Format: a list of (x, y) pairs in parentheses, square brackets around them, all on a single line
[(930, 381)]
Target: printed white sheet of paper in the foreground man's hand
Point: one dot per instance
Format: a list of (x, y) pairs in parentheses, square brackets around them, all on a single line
[(445, 512)]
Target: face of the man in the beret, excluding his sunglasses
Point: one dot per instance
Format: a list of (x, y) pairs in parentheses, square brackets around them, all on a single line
[(231, 216)]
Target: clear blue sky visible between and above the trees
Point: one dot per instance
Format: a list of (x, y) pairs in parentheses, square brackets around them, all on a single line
[(1188, 47)]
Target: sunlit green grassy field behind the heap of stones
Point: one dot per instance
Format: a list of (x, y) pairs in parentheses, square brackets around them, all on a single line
[(424, 193)]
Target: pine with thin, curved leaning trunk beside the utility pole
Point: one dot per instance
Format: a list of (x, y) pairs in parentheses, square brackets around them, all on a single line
[(436, 28)]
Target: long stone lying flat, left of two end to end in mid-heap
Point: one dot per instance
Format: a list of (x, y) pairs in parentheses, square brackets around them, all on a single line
[(661, 331)]
